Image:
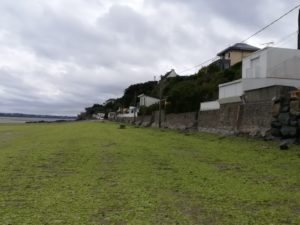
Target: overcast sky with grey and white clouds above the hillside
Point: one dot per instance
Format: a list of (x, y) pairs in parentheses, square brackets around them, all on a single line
[(60, 56)]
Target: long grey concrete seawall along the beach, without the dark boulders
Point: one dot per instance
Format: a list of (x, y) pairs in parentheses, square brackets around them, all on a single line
[(252, 116)]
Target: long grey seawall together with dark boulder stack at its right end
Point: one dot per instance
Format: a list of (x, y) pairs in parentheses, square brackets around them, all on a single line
[(253, 115)]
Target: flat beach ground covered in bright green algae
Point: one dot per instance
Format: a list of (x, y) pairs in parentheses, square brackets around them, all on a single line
[(95, 173)]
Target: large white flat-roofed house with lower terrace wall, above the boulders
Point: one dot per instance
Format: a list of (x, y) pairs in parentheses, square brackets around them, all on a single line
[(267, 67)]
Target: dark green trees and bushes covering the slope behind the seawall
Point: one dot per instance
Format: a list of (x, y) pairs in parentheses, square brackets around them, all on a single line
[(180, 93)]
